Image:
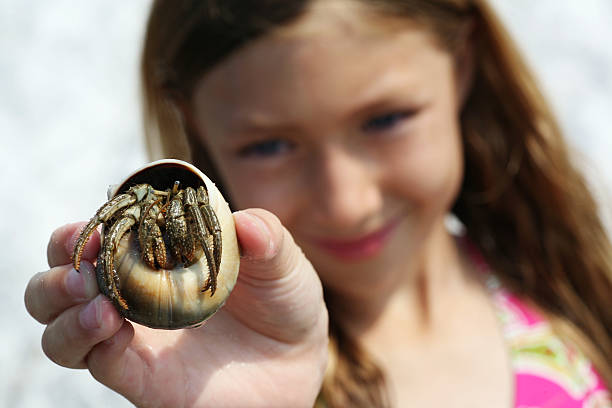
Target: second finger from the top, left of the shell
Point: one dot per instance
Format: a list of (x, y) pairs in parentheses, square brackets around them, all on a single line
[(50, 293)]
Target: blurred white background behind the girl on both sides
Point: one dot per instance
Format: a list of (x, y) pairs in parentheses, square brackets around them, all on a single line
[(70, 125)]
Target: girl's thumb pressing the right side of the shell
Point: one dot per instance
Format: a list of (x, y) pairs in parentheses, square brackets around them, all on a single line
[(278, 292)]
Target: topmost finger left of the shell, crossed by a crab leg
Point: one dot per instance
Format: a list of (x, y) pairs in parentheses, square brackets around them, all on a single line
[(61, 245)]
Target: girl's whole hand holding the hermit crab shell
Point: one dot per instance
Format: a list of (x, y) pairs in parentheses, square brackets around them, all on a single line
[(266, 347)]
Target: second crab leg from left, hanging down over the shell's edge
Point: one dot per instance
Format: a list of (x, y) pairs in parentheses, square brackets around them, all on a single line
[(111, 240)]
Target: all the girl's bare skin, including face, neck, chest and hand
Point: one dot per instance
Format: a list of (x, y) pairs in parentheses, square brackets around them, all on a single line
[(348, 123)]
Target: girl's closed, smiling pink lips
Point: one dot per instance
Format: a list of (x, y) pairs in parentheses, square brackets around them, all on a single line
[(363, 247)]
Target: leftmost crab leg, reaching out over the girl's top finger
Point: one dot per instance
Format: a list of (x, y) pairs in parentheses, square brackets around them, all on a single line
[(105, 213)]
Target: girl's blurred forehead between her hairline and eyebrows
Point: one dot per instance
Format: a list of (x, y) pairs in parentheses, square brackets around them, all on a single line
[(330, 54)]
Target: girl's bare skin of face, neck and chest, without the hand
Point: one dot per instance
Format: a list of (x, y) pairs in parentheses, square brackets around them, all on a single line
[(342, 125)]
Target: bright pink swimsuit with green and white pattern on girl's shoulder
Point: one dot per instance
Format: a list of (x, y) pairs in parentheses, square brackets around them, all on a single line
[(549, 373)]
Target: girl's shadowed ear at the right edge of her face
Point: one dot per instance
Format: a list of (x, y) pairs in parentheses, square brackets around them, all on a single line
[(465, 64)]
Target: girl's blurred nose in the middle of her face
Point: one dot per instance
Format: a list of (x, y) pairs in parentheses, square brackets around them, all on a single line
[(346, 191)]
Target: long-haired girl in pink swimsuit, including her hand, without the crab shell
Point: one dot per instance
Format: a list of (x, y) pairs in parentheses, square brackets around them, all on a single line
[(361, 125)]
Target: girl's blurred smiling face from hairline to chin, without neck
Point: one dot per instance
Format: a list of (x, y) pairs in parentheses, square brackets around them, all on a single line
[(344, 125)]
